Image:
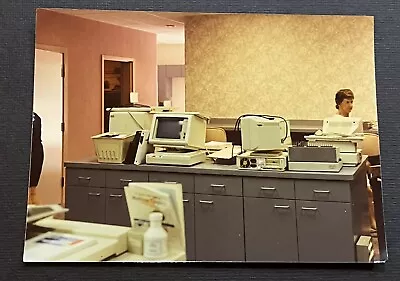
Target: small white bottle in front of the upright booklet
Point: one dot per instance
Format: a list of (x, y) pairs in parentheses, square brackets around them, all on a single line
[(155, 240)]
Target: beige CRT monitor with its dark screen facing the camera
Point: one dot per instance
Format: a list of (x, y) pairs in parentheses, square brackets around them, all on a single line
[(178, 130)]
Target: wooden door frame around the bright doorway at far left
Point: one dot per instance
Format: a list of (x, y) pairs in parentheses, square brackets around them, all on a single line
[(64, 109)]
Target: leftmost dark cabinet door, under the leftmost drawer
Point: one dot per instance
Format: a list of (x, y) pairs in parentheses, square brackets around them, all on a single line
[(75, 201)]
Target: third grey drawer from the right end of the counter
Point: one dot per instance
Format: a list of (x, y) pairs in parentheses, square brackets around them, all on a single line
[(220, 185)]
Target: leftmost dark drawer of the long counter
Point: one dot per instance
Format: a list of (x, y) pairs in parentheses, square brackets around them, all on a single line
[(85, 177)]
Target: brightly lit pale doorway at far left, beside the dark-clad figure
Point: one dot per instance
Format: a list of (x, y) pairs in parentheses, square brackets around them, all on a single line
[(48, 103)]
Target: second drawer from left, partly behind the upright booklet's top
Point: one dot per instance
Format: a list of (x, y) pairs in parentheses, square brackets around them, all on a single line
[(119, 179)]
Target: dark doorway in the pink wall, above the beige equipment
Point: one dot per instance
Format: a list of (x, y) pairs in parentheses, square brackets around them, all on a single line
[(118, 81)]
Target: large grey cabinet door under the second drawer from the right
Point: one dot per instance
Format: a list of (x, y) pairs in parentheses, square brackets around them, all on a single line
[(270, 230)]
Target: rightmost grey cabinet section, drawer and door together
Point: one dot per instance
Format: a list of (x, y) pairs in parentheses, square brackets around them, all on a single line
[(324, 221)]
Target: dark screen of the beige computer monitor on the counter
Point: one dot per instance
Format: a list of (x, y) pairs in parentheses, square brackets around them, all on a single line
[(170, 128)]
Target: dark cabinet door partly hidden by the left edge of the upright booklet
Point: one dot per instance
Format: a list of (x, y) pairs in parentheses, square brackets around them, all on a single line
[(116, 208)]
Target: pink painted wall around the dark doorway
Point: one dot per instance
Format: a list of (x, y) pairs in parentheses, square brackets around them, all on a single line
[(86, 41)]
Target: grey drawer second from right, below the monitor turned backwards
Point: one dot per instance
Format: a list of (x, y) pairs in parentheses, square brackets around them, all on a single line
[(268, 188)]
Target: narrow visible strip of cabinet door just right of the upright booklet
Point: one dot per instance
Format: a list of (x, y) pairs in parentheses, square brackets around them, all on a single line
[(188, 205)]
